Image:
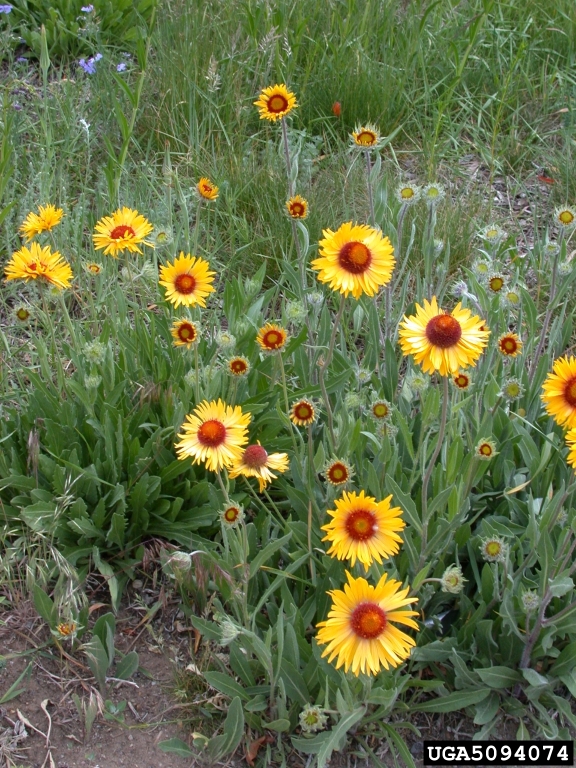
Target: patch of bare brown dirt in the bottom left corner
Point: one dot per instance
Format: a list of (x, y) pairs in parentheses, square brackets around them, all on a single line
[(41, 727)]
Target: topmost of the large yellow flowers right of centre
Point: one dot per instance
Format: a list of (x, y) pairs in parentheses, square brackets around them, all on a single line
[(355, 259)]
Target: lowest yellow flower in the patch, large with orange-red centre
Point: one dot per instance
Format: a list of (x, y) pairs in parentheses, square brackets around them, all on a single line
[(360, 627)]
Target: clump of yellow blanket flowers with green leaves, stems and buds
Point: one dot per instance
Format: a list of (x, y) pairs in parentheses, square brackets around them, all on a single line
[(374, 510)]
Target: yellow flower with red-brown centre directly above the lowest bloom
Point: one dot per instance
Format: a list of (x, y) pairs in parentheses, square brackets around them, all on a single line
[(363, 529)]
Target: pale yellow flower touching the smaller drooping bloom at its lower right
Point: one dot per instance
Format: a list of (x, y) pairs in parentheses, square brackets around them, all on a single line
[(214, 433)]
